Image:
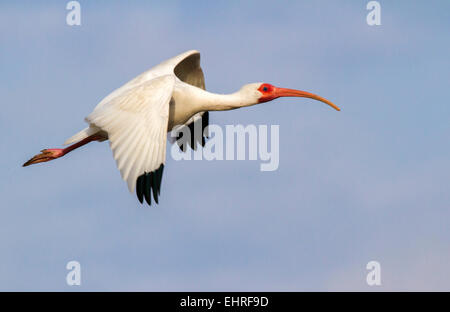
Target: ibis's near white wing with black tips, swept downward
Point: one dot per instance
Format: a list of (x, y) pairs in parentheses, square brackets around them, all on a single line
[(136, 124)]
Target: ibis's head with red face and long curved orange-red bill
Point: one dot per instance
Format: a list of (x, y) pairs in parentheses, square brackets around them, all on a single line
[(264, 92)]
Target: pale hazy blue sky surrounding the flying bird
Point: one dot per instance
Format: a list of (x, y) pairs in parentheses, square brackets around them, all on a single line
[(367, 183)]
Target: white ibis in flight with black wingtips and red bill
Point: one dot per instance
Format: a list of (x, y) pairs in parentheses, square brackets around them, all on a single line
[(136, 117)]
